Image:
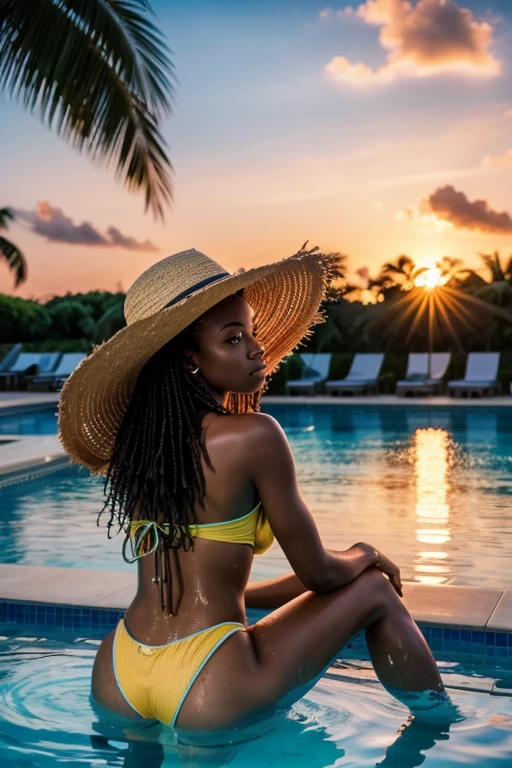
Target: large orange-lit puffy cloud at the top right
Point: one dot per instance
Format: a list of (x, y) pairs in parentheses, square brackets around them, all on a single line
[(428, 38)]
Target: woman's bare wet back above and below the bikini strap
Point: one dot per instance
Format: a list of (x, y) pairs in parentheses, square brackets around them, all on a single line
[(209, 581)]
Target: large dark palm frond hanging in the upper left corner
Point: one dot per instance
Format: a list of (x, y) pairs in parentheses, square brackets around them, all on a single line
[(98, 72)]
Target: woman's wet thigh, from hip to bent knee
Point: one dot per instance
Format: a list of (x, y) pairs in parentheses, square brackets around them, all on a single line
[(290, 647)]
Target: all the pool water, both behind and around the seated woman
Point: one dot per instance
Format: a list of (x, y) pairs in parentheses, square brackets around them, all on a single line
[(430, 487)]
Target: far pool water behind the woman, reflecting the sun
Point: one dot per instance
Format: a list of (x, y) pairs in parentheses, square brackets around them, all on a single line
[(429, 486)]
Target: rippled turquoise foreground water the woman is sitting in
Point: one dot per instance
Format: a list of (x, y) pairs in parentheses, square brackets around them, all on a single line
[(48, 720)]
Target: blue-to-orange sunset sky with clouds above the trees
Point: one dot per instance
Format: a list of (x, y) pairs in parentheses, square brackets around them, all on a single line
[(372, 128)]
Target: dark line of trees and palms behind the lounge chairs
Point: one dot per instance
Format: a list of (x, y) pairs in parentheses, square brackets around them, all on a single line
[(470, 310)]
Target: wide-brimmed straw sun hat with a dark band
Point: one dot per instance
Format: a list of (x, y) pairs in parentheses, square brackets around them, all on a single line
[(165, 299)]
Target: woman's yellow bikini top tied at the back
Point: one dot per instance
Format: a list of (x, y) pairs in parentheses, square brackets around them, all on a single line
[(253, 529)]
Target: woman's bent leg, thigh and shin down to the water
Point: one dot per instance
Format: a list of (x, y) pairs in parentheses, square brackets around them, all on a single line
[(290, 647)]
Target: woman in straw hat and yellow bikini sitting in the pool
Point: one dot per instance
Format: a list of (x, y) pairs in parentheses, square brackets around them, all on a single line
[(200, 480)]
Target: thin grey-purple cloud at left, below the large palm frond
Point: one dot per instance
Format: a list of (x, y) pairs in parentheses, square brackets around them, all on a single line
[(52, 223)]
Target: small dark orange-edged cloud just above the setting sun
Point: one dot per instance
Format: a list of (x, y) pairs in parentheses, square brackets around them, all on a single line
[(449, 206)]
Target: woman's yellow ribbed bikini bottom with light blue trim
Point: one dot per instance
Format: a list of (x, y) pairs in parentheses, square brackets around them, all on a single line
[(154, 680)]
